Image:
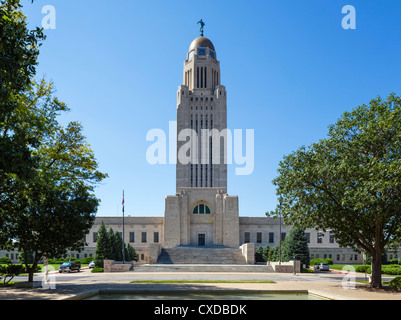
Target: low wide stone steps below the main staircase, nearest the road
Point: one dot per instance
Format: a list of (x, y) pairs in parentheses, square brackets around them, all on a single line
[(201, 268)]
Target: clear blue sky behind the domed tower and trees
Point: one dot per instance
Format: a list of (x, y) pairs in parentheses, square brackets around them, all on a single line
[(289, 67)]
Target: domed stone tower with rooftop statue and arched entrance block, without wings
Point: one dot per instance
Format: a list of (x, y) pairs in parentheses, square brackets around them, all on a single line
[(201, 213)]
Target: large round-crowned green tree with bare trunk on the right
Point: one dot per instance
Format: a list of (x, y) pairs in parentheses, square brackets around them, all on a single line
[(350, 182)]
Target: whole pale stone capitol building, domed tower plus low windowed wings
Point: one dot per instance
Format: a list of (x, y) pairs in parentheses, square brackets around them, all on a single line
[(202, 213)]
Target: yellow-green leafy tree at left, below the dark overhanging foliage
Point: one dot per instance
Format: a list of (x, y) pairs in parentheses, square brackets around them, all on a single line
[(53, 209)]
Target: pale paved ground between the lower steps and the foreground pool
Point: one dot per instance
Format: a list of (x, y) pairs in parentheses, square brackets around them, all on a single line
[(325, 284)]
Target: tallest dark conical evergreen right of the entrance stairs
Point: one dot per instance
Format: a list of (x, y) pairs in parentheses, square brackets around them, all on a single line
[(296, 246)]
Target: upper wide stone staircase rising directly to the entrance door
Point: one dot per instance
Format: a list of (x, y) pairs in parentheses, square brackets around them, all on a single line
[(206, 255)]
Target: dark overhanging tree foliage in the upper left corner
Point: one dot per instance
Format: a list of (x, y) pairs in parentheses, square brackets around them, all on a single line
[(19, 50)]
